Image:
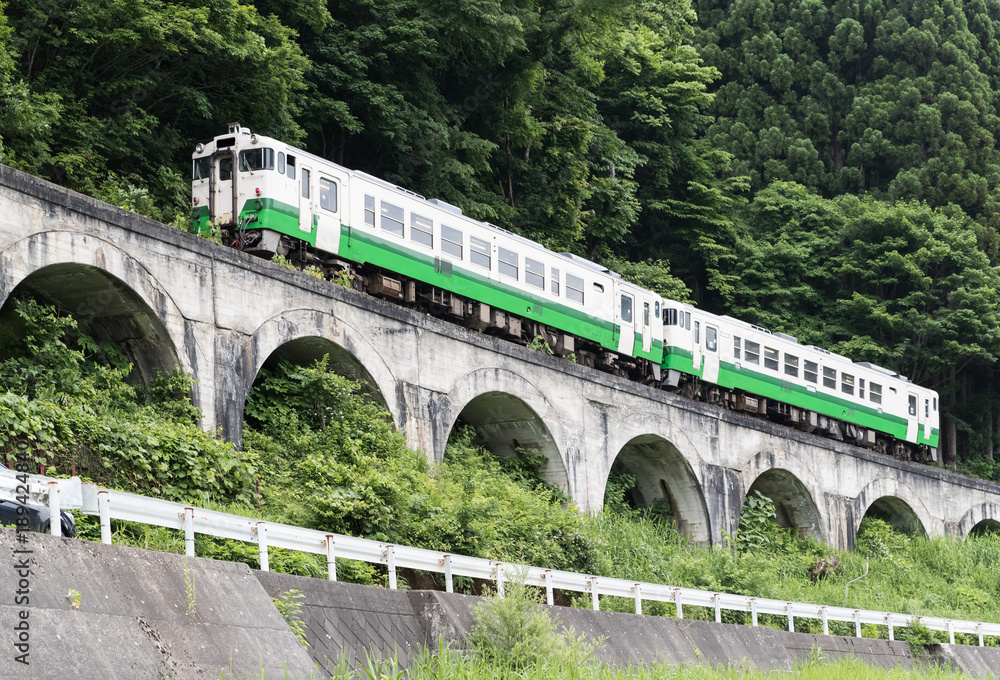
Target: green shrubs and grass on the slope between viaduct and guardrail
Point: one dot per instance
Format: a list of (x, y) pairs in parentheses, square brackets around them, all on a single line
[(318, 453)]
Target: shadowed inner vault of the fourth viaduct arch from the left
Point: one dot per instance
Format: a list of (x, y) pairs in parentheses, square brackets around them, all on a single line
[(663, 474)]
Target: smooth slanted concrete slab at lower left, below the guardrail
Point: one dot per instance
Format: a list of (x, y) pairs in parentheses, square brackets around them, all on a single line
[(133, 620)]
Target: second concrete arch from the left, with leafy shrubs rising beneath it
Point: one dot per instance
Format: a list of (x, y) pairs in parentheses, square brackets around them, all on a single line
[(305, 335)]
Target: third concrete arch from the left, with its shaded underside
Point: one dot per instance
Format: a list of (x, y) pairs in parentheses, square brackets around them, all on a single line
[(507, 412)]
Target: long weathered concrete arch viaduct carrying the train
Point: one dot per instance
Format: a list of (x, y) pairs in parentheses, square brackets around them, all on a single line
[(173, 299)]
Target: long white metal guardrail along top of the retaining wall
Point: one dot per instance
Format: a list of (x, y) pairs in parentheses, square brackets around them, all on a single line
[(90, 499)]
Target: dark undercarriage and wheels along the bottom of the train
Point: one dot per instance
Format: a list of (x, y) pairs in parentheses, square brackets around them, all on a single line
[(475, 315)]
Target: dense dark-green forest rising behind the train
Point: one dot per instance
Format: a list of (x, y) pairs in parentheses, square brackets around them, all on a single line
[(825, 168)]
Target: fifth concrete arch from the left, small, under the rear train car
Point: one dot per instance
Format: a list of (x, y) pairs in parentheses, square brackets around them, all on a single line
[(792, 486)]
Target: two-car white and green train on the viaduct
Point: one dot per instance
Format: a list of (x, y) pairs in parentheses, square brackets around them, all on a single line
[(271, 199)]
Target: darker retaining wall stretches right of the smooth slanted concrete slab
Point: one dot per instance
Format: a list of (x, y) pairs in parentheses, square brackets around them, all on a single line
[(352, 621)]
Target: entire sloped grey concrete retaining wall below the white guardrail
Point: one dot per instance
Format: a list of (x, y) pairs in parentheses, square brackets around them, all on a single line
[(99, 611)]
